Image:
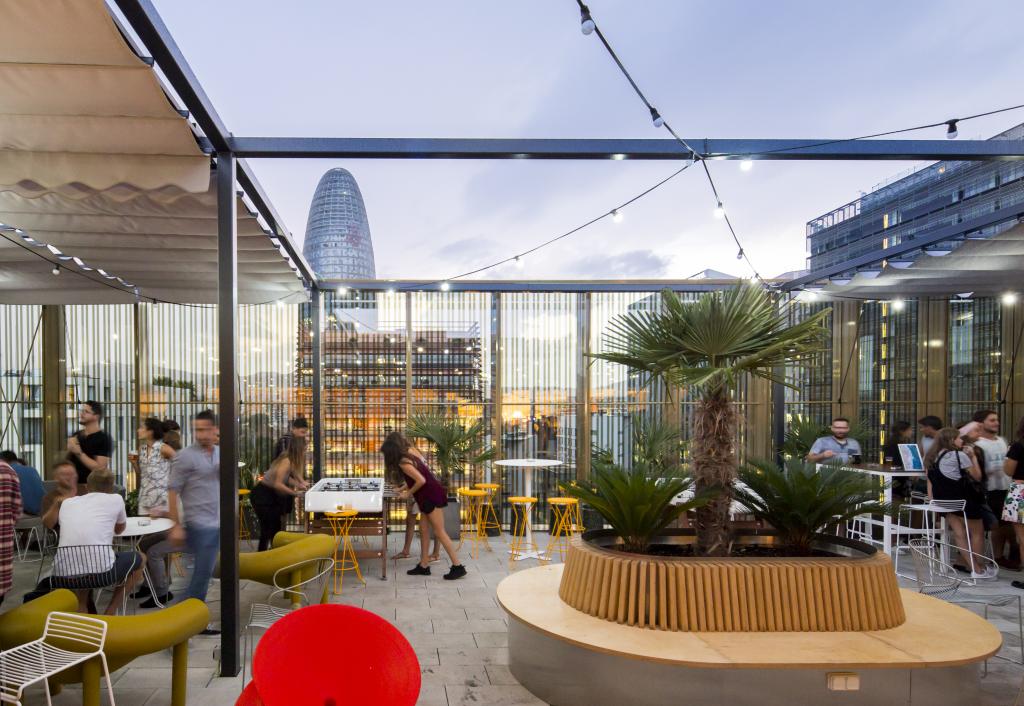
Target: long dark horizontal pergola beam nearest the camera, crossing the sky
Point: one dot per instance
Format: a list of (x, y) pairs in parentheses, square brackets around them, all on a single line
[(623, 149)]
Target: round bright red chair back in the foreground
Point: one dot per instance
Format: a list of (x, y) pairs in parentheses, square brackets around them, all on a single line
[(333, 656)]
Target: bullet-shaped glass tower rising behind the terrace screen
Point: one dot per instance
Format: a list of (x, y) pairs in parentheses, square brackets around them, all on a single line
[(337, 244)]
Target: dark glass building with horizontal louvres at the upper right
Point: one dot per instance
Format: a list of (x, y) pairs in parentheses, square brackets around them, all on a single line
[(936, 196)]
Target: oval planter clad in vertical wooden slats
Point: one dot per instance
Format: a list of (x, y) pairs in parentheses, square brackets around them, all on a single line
[(856, 591)]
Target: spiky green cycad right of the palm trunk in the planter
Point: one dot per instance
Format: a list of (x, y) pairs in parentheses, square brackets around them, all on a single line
[(800, 502)]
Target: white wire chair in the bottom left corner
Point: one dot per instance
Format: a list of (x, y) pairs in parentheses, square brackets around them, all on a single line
[(39, 660)]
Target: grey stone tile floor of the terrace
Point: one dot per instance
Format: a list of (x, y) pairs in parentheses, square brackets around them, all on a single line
[(457, 630)]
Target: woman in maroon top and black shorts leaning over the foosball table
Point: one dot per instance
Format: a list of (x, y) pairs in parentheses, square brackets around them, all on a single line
[(405, 466)]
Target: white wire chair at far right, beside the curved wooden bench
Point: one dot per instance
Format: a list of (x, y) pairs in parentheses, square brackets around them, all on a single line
[(938, 579)]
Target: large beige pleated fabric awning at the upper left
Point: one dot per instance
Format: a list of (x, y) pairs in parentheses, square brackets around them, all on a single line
[(102, 177)]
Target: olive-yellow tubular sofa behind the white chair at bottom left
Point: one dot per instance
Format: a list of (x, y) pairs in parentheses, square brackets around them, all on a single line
[(127, 639)]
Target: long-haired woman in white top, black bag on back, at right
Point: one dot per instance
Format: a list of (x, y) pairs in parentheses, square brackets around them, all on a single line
[(953, 471)]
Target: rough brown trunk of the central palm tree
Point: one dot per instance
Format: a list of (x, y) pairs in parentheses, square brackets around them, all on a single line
[(714, 463)]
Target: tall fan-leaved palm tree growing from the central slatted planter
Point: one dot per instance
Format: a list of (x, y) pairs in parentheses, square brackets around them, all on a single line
[(708, 346)]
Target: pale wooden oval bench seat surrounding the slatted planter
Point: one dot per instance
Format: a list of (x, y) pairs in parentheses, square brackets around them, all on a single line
[(936, 634)]
